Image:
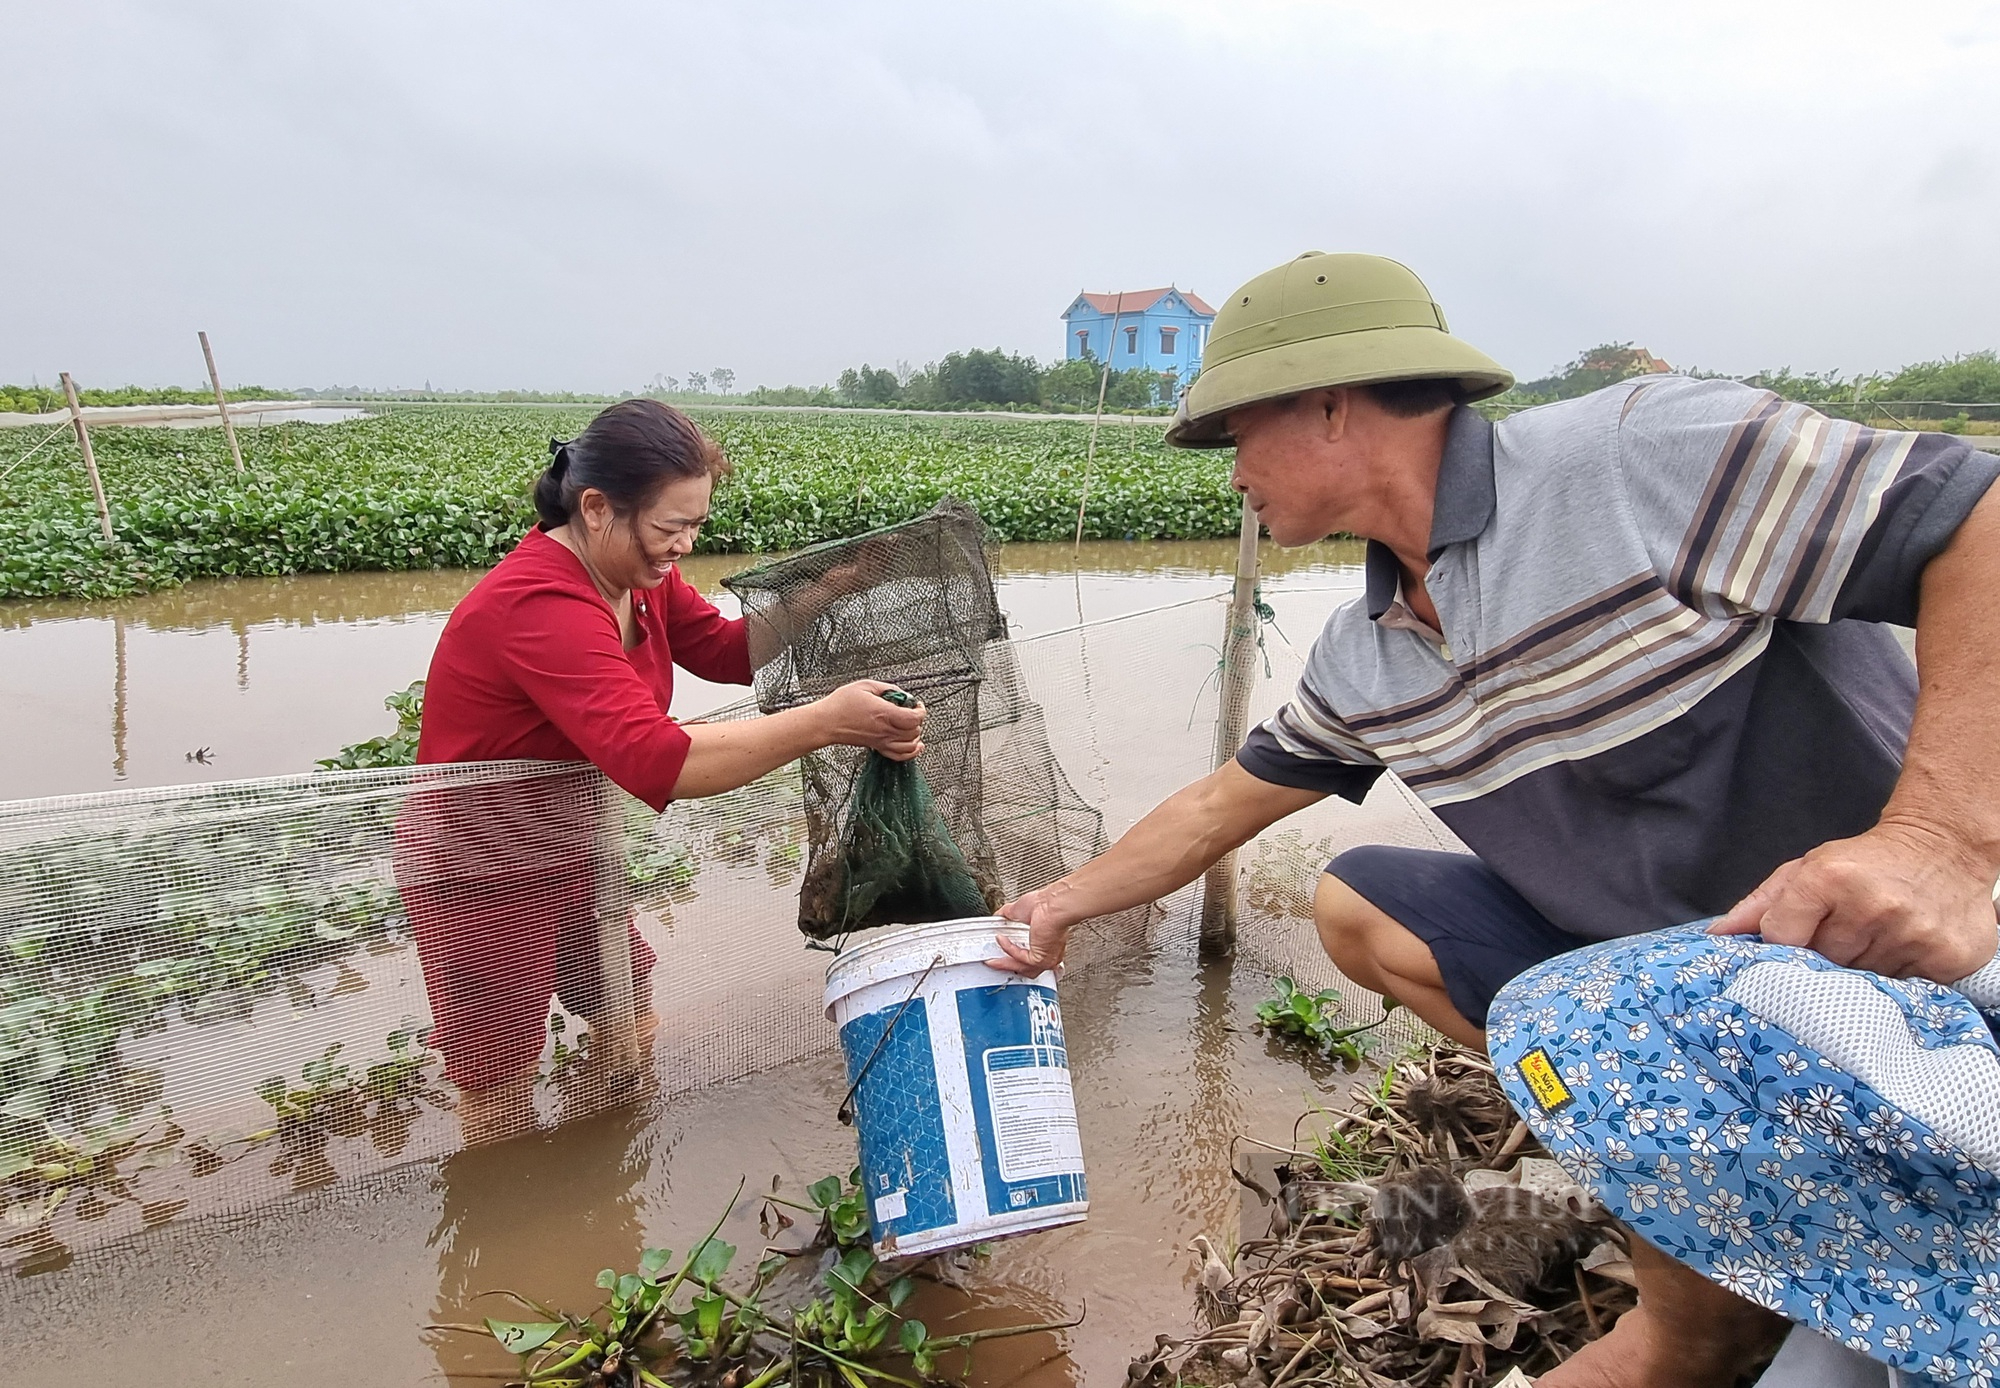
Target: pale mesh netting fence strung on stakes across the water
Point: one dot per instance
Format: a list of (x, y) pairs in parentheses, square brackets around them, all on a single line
[(215, 995)]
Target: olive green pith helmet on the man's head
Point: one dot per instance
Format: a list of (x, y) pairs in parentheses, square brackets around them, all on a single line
[(1325, 321)]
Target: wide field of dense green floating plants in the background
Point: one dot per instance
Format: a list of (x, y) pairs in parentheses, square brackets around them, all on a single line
[(449, 489)]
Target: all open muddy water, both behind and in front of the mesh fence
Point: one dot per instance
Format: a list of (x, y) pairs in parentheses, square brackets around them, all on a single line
[(339, 1281)]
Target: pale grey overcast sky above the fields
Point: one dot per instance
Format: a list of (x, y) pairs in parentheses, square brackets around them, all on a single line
[(581, 195)]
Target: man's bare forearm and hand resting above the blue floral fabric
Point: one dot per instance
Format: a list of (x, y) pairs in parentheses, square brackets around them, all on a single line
[(1913, 897)]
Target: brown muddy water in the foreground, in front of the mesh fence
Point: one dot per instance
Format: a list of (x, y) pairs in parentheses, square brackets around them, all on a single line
[(337, 1287)]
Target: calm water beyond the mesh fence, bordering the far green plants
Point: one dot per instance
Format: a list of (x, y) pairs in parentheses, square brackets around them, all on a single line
[(261, 677)]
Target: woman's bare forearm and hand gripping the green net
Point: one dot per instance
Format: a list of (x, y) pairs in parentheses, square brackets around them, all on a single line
[(729, 755)]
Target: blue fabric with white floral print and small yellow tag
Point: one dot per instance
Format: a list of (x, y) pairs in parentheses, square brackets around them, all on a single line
[(1747, 1155)]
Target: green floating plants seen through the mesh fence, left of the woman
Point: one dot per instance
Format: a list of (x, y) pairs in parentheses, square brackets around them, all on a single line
[(115, 929)]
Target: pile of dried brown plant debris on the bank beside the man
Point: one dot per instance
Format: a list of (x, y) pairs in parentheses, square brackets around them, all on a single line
[(1417, 1239)]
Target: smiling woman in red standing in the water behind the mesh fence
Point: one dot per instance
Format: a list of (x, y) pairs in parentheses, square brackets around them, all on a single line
[(565, 653)]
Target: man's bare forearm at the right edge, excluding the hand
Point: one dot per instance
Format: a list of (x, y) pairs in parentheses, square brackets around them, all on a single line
[(1951, 773)]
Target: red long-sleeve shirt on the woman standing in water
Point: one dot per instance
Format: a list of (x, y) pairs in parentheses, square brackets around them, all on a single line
[(531, 667)]
